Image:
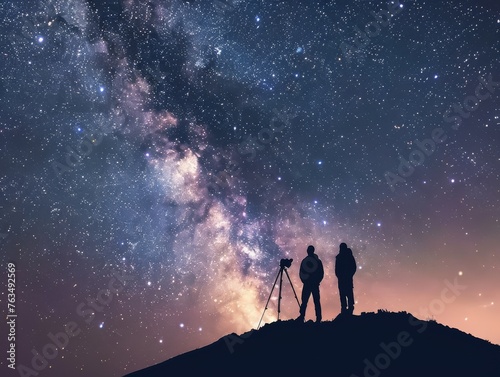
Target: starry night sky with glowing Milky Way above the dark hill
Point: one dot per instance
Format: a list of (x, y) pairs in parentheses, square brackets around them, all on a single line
[(188, 146)]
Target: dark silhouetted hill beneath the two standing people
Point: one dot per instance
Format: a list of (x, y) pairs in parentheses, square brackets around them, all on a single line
[(369, 345)]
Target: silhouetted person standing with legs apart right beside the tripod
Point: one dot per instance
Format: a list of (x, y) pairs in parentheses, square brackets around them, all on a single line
[(311, 274)]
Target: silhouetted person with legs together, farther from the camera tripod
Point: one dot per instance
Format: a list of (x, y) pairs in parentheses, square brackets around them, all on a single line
[(345, 268)]
